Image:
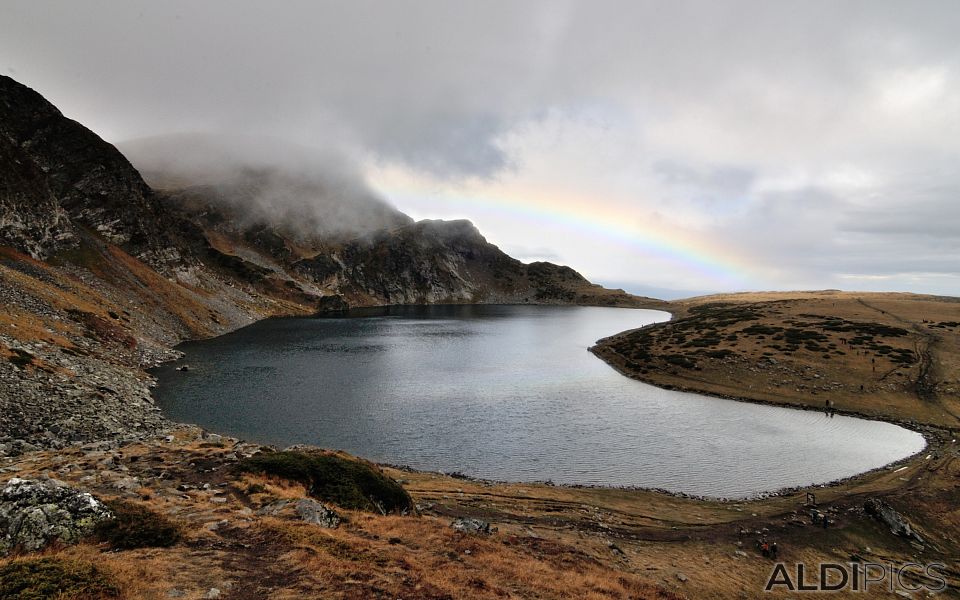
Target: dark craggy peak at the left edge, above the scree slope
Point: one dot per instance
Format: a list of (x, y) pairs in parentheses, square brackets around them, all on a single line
[(58, 175)]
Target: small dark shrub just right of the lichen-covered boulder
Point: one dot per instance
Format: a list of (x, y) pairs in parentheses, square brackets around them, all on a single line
[(136, 526)]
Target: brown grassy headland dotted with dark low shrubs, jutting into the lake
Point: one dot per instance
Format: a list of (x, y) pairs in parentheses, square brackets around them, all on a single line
[(889, 355)]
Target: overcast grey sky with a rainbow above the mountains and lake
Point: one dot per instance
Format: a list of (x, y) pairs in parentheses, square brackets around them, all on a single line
[(694, 146)]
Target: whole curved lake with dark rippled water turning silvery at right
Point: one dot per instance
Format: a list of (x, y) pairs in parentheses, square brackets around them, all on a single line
[(505, 392)]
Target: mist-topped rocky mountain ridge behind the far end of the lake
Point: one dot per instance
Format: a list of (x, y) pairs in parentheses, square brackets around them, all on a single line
[(297, 228)]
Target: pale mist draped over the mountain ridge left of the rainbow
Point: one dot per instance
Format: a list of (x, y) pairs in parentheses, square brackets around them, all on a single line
[(309, 194)]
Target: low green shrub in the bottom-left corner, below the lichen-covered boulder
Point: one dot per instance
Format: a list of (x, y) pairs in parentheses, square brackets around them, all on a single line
[(44, 578)]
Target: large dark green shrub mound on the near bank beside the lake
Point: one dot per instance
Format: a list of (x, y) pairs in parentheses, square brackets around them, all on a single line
[(346, 482)]
